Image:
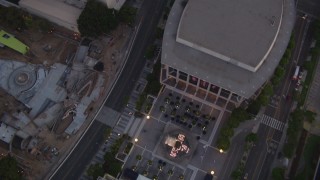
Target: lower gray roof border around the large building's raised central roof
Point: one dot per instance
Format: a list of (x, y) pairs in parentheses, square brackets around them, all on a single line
[(219, 72)]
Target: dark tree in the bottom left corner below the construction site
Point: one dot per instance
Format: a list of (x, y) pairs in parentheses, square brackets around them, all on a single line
[(9, 168)]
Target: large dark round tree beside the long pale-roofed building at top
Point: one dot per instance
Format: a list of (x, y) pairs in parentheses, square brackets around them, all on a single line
[(96, 19)]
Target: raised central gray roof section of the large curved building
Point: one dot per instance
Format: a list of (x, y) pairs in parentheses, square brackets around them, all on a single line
[(239, 32)]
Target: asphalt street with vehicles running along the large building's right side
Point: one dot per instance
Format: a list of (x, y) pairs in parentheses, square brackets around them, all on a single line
[(263, 154)]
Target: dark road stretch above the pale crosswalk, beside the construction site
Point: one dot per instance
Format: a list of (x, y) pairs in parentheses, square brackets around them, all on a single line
[(150, 15)]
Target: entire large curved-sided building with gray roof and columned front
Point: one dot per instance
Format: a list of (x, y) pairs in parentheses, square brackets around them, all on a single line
[(223, 51)]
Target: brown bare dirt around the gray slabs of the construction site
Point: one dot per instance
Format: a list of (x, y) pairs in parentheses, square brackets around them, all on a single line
[(48, 49)]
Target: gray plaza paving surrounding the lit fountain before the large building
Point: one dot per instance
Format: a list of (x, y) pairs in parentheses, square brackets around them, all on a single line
[(191, 118)]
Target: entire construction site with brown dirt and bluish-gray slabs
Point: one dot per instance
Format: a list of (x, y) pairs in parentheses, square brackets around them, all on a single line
[(50, 94)]
